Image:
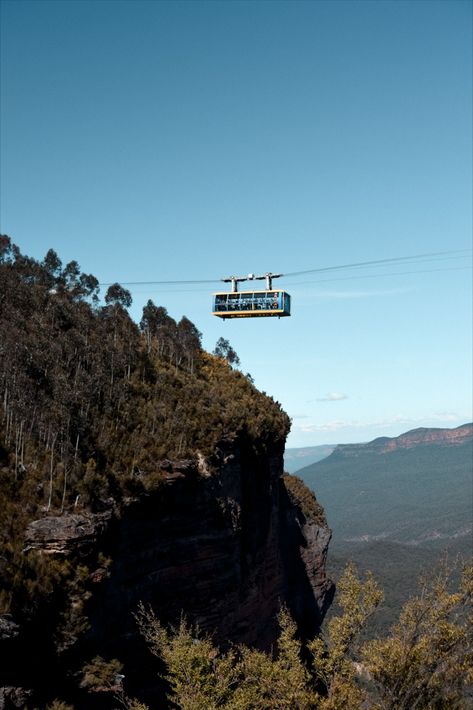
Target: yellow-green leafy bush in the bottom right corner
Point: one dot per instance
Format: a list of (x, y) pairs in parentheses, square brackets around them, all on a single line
[(427, 660)]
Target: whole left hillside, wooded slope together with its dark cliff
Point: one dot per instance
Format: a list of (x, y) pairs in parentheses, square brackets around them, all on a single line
[(134, 467)]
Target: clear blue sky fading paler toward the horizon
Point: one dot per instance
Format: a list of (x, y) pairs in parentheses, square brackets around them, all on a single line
[(160, 141)]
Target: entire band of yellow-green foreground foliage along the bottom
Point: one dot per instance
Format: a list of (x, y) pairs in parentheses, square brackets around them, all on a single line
[(425, 663)]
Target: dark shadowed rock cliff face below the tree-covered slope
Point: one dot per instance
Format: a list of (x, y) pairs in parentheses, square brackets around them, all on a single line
[(226, 549)]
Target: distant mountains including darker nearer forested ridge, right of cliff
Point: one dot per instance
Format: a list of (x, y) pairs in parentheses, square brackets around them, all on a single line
[(396, 504)]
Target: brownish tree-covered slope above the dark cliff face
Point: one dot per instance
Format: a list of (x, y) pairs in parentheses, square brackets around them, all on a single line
[(92, 403)]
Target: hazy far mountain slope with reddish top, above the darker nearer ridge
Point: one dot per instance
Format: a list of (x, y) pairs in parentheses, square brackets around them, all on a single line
[(393, 489)]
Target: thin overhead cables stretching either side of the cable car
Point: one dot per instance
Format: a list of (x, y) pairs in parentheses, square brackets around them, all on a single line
[(414, 258)]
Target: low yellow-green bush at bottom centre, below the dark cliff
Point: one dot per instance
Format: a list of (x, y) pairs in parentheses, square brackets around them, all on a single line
[(201, 677)]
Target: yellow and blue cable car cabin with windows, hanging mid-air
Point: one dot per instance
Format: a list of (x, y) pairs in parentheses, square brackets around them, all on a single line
[(251, 304)]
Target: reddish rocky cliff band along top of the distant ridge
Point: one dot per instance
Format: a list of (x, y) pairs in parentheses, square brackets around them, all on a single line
[(415, 437)]
